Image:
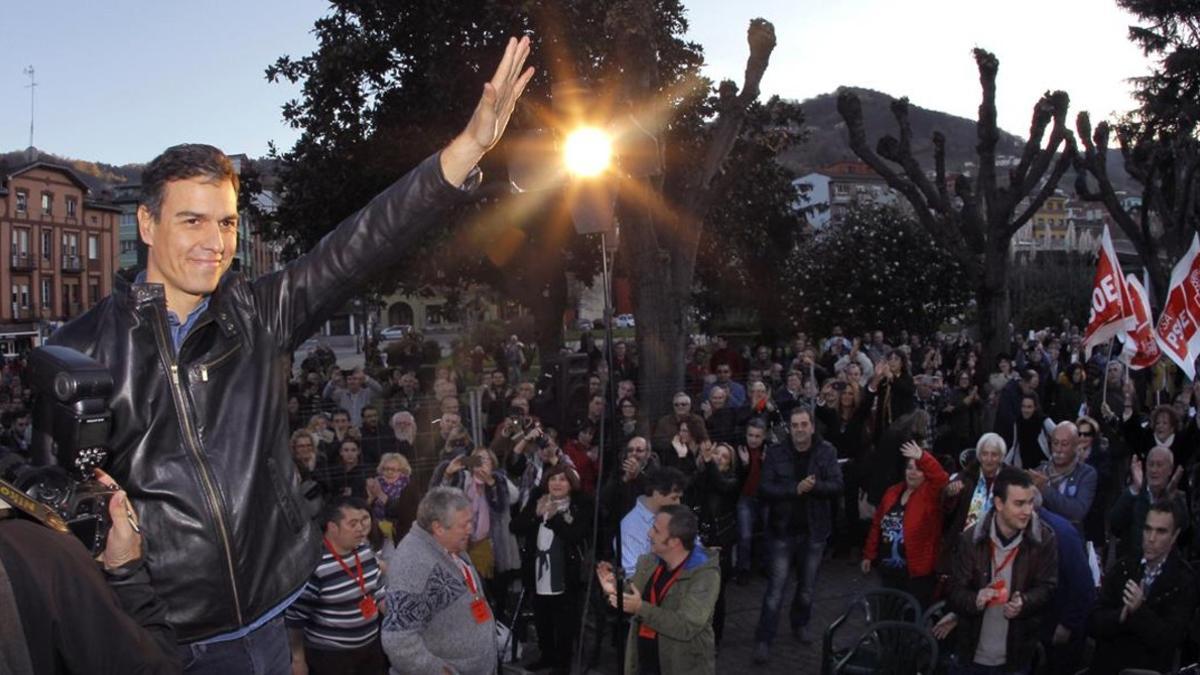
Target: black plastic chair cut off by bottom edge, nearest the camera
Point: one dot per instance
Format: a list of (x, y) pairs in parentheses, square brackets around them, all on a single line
[(891, 648)]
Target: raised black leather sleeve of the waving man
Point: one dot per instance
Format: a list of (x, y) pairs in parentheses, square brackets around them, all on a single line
[(293, 302)]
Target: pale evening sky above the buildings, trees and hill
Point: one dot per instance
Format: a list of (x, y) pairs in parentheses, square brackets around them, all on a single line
[(122, 80)]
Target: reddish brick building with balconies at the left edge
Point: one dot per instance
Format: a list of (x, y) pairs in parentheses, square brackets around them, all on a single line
[(58, 250)]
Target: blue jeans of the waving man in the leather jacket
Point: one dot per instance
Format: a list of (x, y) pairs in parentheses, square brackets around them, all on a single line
[(263, 653)]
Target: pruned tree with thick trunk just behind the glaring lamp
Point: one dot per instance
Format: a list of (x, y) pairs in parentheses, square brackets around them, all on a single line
[(664, 217)]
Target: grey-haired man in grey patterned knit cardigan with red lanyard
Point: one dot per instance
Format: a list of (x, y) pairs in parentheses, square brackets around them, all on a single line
[(439, 620)]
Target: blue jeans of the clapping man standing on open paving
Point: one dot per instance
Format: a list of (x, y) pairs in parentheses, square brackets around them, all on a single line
[(808, 552)]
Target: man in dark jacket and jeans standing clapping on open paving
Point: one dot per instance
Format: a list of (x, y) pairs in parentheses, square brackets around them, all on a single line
[(801, 480)]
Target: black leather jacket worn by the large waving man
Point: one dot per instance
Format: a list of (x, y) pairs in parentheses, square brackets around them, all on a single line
[(201, 438)]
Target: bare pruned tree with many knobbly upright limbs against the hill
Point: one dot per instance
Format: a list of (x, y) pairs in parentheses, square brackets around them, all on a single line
[(979, 220)]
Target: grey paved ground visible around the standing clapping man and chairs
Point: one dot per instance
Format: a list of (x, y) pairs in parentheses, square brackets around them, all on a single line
[(838, 584)]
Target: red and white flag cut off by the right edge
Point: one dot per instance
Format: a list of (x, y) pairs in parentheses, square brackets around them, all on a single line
[(1179, 326)]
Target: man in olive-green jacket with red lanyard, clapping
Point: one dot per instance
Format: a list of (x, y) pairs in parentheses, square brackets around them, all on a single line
[(671, 599)]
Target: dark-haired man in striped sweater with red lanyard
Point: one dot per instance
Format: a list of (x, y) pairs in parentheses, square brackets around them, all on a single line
[(334, 625)]
